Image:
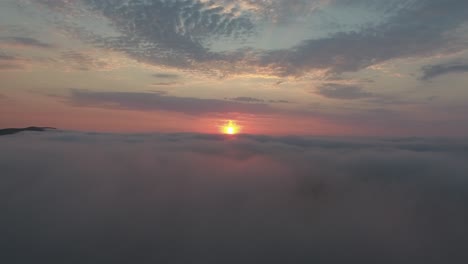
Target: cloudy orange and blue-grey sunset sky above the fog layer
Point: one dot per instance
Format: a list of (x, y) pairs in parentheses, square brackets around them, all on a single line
[(275, 67)]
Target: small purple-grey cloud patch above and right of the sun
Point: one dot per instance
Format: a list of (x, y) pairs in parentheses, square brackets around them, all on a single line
[(339, 91)]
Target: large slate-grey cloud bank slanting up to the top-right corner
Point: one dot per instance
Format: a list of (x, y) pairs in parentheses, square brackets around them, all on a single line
[(410, 32)]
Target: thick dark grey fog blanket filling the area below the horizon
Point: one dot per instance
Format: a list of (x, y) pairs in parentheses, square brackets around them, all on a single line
[(188, 198)]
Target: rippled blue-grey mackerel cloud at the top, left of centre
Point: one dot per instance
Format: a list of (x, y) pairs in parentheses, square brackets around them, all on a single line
[(171, 32)]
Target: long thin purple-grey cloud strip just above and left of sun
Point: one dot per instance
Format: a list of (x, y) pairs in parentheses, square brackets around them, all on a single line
[(162, 102)]
